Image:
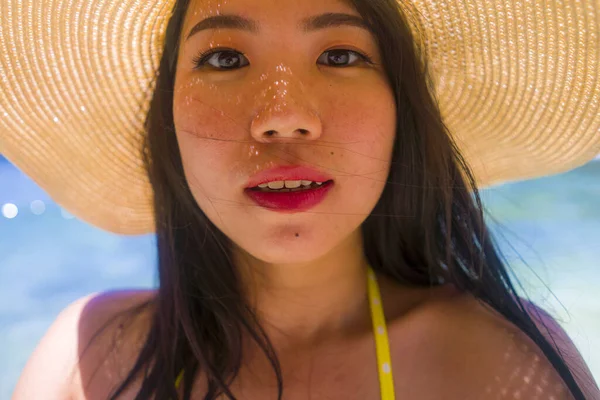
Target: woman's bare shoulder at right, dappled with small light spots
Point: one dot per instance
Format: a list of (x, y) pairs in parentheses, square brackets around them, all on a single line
[(486, 356)]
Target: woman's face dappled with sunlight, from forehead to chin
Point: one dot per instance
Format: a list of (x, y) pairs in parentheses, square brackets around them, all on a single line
[(281, 96)]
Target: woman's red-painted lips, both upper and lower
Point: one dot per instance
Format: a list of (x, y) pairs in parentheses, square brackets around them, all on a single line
[(289, 201)]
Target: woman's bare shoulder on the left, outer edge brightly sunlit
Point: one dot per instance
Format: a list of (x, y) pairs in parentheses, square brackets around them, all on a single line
[(74, 342)]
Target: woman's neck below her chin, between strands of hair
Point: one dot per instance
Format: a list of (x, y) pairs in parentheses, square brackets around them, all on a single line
[(307, 303)]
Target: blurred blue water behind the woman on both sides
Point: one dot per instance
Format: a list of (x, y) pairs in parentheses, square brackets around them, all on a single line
[(548, 228)]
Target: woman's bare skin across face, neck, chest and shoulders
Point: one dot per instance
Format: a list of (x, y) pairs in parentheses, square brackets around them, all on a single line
[(444, 344)]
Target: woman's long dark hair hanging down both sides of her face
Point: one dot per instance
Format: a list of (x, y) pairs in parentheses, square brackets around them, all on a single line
[(427, 229)]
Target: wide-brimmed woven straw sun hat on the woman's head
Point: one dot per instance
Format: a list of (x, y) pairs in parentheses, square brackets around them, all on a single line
[(518, 83)]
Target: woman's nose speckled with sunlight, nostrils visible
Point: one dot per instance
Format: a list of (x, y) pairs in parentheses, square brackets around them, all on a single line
[(285, 114)]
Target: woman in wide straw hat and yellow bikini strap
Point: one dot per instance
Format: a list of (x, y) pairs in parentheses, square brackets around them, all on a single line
[(319, 233)]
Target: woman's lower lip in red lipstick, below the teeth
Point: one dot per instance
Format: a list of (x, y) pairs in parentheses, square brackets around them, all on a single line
[(299, 201)]
